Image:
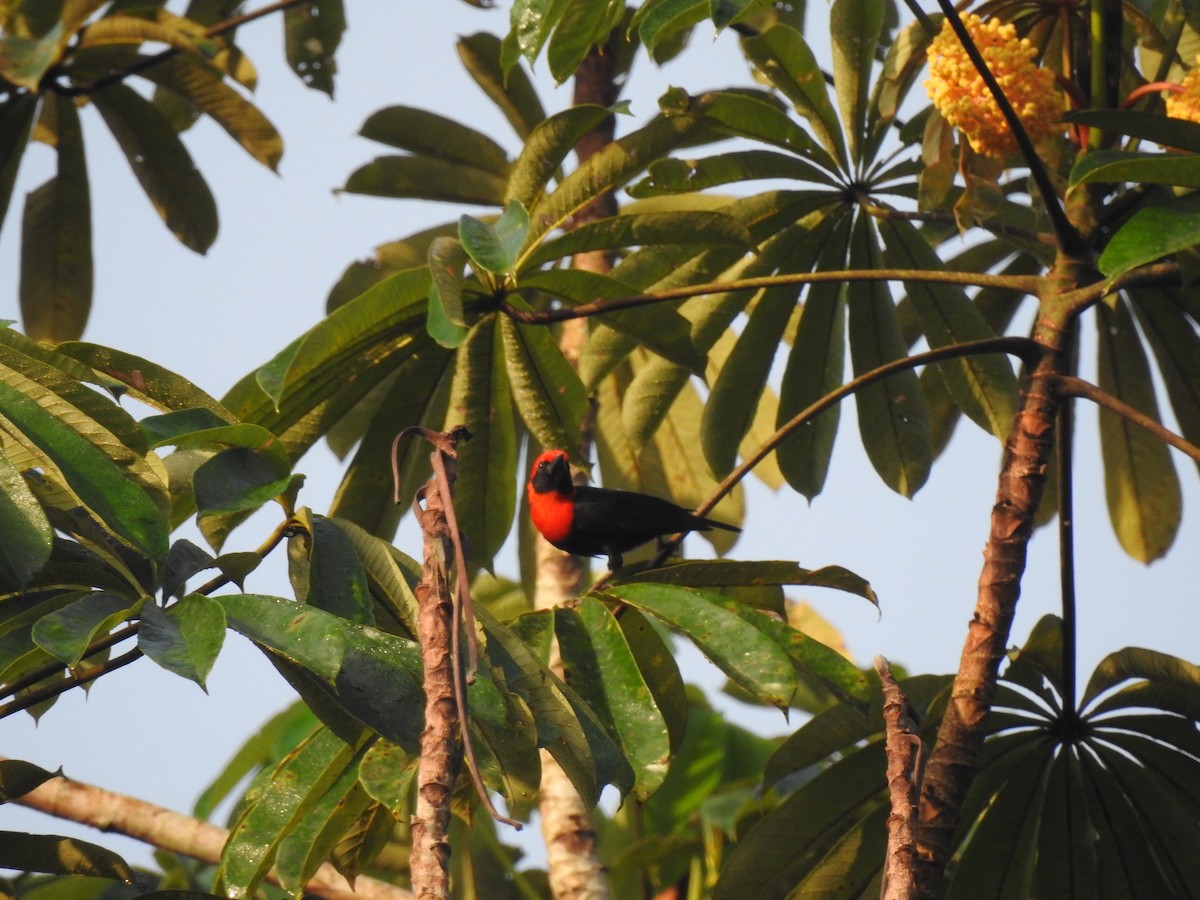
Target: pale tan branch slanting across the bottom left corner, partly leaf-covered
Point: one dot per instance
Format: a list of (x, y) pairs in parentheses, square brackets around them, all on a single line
[(166, 830)]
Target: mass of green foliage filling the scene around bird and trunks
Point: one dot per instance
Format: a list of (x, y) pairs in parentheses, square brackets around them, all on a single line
[(718, 329)]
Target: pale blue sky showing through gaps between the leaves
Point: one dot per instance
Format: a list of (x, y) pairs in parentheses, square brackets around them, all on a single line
[(285, 239)]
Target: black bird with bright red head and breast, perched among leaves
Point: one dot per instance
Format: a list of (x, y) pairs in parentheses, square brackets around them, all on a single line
[(598, 521)]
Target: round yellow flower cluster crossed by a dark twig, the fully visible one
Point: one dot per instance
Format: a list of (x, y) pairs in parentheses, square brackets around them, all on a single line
[(964, 100)]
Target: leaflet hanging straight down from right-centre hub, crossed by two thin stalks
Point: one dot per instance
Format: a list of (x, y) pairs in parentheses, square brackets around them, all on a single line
[(892, 417)]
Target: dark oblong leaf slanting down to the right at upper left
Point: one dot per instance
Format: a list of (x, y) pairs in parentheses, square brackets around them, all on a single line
[(161, 164)]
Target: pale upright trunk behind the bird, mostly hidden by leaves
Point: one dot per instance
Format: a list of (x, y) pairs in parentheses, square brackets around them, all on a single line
[(574, 865)]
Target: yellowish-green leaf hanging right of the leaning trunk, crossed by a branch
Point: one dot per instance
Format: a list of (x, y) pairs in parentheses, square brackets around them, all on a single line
[(1142, 487)]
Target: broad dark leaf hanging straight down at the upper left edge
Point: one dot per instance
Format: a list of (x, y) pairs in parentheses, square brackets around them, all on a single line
[(56, 260)]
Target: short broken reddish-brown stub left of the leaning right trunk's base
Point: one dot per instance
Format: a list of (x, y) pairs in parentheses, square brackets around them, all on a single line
[(905, 755)]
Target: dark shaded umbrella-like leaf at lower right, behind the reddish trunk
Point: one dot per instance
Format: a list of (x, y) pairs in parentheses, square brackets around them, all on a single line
[(1108, 815)]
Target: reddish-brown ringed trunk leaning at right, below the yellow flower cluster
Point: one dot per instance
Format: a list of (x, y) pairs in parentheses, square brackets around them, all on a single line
[(953, 763)]
